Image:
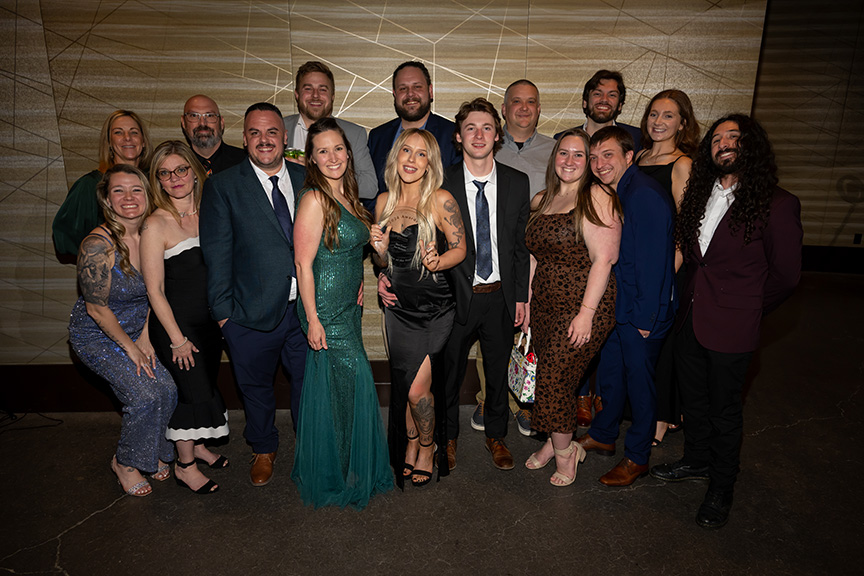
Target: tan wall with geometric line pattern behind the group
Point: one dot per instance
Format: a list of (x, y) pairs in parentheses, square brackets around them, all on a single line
[(64, 66)]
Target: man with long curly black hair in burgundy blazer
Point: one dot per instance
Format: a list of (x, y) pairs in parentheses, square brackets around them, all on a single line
[(741, 237)]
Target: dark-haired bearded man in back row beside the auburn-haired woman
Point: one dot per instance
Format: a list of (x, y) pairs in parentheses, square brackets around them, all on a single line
[(602, 100)]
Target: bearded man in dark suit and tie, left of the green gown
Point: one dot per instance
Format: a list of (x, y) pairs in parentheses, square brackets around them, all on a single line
[(246, 228)]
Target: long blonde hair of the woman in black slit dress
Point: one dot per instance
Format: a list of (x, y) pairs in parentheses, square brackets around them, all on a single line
[(429, 184)]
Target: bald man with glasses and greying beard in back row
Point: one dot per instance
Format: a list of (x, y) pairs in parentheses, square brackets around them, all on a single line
[(203, 126)]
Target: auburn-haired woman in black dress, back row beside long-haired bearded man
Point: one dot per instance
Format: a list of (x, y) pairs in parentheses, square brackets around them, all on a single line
[(670, 134)]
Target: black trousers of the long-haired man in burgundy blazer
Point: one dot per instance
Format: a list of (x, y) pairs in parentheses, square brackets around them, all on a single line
[(710, 384)]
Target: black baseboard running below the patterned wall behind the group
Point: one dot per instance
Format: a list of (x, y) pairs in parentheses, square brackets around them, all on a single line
[(74, 388)]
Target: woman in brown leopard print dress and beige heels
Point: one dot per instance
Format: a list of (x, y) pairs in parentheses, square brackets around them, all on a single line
[(573, 235)]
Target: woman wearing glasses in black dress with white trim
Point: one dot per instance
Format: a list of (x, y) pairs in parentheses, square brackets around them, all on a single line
[(186, 339)]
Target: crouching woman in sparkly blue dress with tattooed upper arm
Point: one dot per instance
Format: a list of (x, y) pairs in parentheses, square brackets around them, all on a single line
[(108, 331)]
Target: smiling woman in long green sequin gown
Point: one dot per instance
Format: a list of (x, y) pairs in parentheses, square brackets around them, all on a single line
[(341, 453)]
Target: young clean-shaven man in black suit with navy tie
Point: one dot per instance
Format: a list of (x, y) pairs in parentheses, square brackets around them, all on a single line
[(491, 284)]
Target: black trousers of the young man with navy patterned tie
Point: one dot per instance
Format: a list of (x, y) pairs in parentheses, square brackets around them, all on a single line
[(490, 323)]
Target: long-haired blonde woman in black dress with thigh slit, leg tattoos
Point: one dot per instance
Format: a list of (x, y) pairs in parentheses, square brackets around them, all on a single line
[(419, 233)]
